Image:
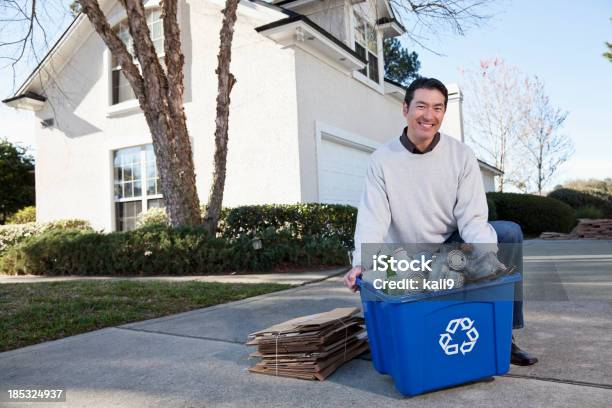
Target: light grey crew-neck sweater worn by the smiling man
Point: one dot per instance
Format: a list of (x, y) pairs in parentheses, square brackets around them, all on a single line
[(422, 198)]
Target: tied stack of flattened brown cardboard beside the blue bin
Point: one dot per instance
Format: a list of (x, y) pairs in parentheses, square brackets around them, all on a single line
[(310, 347)]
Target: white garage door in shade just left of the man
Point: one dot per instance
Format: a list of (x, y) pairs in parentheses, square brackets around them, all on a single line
[(342, 169)]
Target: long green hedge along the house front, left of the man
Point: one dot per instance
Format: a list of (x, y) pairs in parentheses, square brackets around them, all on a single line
[(291, 235)]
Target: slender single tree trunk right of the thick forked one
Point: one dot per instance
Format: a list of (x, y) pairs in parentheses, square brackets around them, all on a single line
[(226, 82)]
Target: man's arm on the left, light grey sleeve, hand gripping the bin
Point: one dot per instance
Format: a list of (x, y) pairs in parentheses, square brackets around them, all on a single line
[(373, 218)]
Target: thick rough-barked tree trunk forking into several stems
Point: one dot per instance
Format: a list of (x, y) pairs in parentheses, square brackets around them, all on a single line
[(160, 96)]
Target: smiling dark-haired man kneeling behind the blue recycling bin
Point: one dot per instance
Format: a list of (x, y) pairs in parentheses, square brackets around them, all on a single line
[(426, 187)]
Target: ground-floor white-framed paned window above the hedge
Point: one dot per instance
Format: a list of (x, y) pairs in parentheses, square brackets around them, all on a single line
[(136, 185)]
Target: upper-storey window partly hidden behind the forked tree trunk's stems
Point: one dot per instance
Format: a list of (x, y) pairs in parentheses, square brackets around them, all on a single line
[(122, 91)]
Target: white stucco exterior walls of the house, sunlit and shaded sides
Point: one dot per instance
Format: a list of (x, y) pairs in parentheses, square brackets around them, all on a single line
[(280, 93)]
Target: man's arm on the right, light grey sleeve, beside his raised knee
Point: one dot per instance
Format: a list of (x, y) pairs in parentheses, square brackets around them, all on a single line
[(471, 210)]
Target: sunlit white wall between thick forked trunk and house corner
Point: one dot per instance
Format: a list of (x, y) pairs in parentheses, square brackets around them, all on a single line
[(263, 156)]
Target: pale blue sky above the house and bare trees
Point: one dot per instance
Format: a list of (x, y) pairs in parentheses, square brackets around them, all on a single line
[(560, 41)]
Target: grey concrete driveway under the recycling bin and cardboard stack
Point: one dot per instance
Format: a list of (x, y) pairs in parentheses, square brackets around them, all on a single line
[(198, 358)]
